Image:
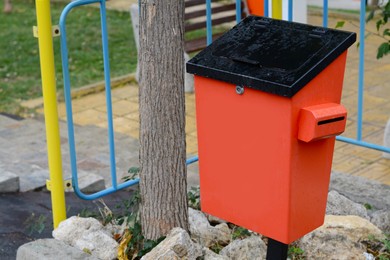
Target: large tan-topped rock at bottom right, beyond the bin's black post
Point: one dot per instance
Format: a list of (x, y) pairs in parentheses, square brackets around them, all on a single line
[(338, 238)]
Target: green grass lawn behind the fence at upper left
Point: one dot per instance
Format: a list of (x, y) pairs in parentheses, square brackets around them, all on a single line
[(20, 77)]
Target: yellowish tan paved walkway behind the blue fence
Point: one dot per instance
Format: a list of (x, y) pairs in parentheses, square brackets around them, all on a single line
[(350, 159)]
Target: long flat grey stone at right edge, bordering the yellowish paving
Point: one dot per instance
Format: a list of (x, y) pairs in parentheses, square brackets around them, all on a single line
[(361, 190)]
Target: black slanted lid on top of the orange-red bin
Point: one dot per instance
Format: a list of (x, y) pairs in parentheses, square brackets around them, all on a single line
[(270, 55)]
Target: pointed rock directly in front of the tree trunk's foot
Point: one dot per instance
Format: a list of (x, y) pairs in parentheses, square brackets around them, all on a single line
[(177, 245)]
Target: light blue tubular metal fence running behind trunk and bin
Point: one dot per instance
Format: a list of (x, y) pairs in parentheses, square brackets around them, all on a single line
[(115, 186)]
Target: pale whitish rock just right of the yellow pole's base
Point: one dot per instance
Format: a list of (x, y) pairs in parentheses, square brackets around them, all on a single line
[(87, 234)]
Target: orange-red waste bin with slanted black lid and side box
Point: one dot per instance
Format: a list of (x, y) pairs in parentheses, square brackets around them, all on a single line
[(268, 110)]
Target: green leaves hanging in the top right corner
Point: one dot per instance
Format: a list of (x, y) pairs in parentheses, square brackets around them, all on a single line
[(384, 14)]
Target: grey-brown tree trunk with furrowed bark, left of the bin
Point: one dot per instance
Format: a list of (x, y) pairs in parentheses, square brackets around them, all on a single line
[(163, 177)]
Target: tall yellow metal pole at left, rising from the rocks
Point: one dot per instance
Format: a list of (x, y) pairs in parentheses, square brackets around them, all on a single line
[(46, 54)]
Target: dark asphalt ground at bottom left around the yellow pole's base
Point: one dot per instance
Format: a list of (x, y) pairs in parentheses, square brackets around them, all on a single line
[(23, 214)]
